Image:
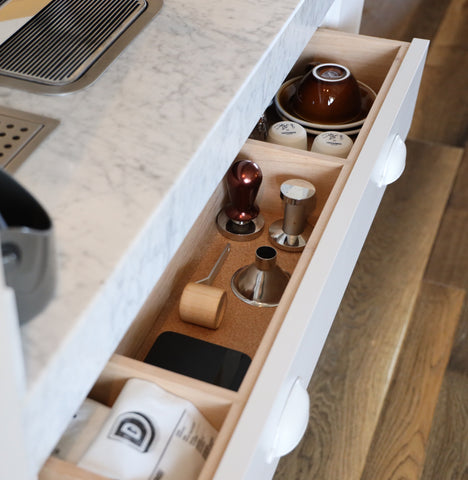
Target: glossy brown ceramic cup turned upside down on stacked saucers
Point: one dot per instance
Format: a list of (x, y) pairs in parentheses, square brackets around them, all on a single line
[(327, 94)]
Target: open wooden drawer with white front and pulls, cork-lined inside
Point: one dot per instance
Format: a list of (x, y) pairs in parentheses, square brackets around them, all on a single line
[(285, 342)]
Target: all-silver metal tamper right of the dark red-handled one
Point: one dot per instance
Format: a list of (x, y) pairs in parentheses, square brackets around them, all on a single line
[(299, 199)]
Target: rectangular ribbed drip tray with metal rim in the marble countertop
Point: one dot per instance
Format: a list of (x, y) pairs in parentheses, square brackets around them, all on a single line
[(67, 44)]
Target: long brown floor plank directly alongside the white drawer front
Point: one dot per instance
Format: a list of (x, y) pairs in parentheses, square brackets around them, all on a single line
[(353, 375)]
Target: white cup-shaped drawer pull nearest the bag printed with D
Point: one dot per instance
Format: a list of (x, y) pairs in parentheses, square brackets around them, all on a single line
[(293, 421)]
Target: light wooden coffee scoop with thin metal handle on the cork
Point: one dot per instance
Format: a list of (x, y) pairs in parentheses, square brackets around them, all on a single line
[(201, 303)]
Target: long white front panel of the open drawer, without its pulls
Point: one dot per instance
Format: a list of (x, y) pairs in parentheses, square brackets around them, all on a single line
[(306, 326)]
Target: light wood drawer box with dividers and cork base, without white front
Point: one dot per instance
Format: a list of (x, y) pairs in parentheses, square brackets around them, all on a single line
[(246, 328)]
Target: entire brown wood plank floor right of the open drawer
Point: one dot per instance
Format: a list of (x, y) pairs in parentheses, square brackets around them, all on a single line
[(389, 397)]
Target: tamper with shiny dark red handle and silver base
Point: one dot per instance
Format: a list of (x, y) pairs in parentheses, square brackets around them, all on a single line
[(240, 219)]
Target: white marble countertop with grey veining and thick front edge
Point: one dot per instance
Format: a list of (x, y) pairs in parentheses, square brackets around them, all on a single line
[(128, 170)]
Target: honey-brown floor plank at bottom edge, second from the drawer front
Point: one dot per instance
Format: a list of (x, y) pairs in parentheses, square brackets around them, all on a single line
[(398, 449)]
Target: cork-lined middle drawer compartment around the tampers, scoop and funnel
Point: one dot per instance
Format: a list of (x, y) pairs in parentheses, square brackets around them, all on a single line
[(244, 326)]
